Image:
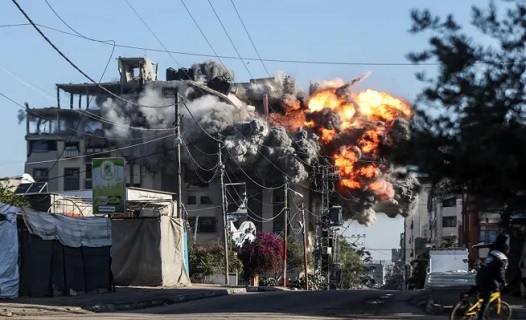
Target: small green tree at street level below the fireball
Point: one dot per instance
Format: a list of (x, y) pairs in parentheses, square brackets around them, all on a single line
[(352, 265)]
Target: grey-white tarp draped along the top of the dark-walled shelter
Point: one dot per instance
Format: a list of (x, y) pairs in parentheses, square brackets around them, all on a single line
[(70, 231)]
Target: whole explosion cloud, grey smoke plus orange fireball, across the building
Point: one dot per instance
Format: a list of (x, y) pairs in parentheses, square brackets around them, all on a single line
[(354, 131)]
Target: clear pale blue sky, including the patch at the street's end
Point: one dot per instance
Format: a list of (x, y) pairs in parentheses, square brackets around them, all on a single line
[(362, 34)]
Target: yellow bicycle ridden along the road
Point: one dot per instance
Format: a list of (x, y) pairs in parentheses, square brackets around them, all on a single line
[(466, 308)]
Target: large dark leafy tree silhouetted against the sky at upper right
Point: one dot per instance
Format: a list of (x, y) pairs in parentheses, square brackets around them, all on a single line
[(469, 120)]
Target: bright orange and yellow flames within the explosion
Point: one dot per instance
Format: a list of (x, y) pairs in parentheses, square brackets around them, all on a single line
[(374, 113)]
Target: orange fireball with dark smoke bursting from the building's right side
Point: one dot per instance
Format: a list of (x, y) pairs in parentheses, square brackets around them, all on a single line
[(358, 133)]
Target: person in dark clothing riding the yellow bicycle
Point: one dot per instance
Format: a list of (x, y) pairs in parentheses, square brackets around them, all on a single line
[(491, 274)]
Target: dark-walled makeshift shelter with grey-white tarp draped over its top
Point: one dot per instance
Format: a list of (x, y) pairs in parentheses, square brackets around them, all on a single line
[(62, 255)]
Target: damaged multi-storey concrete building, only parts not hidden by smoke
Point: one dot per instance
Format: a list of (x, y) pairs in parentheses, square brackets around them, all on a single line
[(61, 143)]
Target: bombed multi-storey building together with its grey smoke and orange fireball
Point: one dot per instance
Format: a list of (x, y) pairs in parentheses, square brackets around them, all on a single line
[(267, 131)]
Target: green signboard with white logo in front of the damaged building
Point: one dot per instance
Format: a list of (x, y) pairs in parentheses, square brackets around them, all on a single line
[(109, 186)]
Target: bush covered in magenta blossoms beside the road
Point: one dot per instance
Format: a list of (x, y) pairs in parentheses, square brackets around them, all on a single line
[(261, 256)]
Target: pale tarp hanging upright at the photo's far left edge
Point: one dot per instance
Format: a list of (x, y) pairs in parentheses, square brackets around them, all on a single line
[(9, 277)]
